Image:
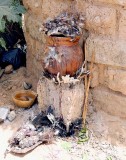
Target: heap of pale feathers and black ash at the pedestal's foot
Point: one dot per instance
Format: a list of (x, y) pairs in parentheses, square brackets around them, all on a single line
[(41, 129)]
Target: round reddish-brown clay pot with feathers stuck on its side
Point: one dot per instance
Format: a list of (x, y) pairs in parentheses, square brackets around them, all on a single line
[(64, 55)]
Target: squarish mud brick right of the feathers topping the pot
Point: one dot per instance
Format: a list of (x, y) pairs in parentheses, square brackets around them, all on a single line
[(101, 20)]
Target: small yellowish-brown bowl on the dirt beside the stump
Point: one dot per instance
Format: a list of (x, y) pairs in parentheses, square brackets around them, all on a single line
[(24, 98)]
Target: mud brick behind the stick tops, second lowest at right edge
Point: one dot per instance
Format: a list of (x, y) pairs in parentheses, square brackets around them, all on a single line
[(109, 76)]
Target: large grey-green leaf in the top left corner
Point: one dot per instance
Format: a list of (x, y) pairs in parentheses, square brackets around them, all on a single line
[(12, 10)]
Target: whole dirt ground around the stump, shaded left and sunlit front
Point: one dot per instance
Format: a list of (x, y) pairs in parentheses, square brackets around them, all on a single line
[(107, 133)]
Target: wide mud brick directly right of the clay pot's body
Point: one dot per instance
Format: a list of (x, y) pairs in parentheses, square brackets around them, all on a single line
[(107, 51)]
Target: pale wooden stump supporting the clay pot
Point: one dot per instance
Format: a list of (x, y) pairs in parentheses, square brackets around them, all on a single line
[(67, 99)]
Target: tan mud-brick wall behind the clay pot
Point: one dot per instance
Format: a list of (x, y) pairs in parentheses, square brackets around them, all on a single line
[(106, 23)]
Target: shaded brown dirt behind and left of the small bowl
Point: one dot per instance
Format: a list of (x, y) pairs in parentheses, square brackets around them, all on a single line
[(10, 83)]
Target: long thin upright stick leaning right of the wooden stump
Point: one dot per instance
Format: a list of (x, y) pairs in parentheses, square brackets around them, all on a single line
[(87, 91)]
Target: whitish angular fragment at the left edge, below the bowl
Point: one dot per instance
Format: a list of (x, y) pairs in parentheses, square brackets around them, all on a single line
[(3, 113)]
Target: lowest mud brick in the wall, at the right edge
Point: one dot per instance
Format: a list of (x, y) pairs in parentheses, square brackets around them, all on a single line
[(109, 101)]
